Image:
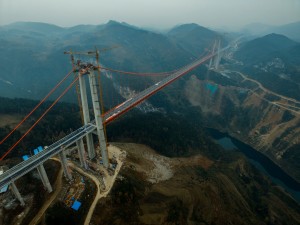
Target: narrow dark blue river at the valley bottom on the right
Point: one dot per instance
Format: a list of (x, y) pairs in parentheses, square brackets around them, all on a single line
[(260, 161)]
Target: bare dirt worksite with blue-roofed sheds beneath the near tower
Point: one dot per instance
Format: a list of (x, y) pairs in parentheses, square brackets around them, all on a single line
[(79, 194)]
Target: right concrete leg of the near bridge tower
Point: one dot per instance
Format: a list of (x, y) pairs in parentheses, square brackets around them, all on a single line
[(98, 118)]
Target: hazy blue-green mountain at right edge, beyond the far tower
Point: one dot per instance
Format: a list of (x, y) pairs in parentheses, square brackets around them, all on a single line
[(274, 61)]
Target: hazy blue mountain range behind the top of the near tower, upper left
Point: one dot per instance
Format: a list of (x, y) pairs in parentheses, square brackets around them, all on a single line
[(32, 59)]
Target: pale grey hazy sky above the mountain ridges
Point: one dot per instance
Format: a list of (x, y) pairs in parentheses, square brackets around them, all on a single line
[(151, 13)]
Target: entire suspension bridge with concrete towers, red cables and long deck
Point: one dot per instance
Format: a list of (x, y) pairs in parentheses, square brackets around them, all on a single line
[(91, 127)]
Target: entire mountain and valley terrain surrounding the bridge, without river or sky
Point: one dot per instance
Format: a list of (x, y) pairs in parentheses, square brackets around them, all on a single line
[(174, 173)]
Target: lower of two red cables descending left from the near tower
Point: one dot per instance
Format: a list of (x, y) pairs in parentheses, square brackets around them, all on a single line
[(39, 119)]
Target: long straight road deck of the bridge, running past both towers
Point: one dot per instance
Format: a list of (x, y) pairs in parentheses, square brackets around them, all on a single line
[(26, 166)]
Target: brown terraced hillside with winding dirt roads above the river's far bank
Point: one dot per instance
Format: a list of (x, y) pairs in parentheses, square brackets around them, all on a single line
[(263, 128)]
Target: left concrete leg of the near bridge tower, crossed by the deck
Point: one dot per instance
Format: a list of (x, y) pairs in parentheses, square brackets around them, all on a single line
[(86, 115)]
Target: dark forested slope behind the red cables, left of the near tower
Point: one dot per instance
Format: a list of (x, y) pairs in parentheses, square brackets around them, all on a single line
[(61, 120)]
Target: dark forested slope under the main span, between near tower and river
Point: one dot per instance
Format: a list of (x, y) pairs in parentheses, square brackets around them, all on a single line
[(170, 135)]
